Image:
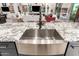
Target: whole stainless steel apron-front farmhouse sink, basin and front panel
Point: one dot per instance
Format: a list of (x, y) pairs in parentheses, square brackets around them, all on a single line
[(27, 47)]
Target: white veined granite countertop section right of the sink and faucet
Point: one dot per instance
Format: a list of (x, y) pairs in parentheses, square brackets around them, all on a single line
[(68, 30)]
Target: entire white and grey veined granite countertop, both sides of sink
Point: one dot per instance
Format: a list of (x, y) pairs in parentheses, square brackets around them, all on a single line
[(13, 31)]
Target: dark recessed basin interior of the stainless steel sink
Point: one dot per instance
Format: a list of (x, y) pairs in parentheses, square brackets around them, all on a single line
[(41, 34)]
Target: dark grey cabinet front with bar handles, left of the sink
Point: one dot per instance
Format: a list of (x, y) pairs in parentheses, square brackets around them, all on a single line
[(8, 49)]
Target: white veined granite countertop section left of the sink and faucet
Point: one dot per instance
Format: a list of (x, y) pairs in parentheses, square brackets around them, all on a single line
[(13, 31)]
